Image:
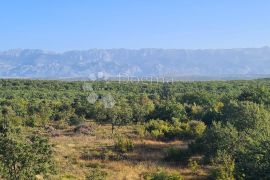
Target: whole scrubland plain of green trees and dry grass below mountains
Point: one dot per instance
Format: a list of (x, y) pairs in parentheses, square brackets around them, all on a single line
[(102, 130)]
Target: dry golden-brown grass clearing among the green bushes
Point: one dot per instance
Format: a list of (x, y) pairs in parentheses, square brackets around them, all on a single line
[(147, 156)]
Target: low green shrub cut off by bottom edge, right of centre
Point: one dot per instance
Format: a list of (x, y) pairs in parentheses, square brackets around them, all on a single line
[(162, 175)]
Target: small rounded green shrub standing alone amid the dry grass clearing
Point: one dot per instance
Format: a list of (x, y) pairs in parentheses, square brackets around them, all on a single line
[(123, 144)]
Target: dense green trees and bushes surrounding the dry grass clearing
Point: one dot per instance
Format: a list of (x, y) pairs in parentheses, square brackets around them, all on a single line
[(225, 123)]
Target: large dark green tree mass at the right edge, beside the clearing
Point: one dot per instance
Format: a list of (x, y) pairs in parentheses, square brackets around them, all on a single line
[(244, 137)]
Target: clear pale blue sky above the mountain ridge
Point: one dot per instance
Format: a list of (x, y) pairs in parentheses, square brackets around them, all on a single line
[(83, 24)]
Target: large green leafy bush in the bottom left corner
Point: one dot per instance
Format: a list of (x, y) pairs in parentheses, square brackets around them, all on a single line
[(24, 158)]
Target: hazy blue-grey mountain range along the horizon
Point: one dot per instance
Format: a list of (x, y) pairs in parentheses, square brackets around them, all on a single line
[(219, 63)]
